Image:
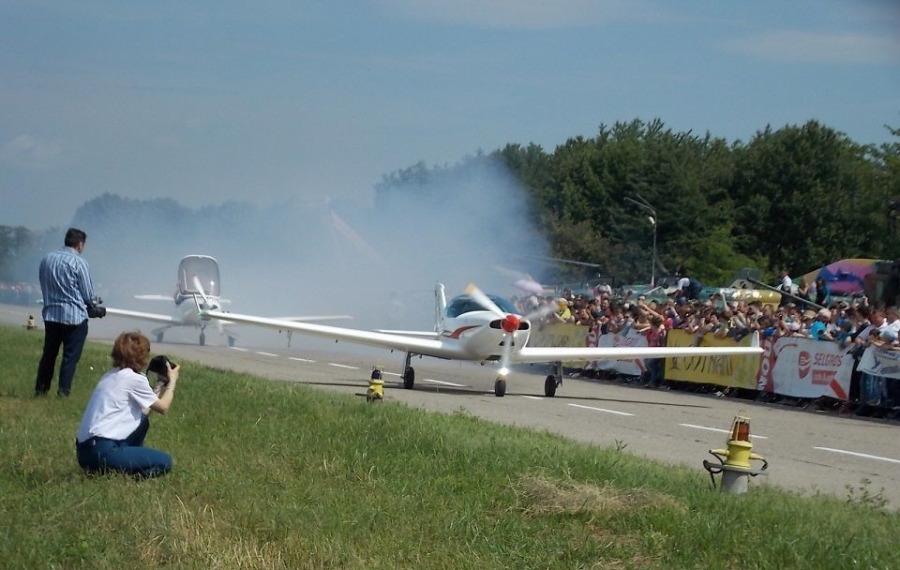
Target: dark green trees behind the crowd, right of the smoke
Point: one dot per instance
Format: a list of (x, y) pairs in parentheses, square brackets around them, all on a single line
[(798, 197)]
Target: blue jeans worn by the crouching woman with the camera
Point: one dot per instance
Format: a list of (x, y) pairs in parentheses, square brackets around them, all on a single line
[(102, 455)]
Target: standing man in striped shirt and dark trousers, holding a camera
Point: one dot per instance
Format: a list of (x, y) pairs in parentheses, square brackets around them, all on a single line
[(68, 295)]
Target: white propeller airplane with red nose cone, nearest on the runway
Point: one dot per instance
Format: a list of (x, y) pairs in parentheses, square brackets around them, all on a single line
[(480, 328)]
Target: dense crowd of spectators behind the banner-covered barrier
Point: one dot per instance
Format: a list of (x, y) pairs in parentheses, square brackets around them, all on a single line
[(810, 312)]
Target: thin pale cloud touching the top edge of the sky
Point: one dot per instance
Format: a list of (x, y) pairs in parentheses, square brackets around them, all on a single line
[(514, 14)]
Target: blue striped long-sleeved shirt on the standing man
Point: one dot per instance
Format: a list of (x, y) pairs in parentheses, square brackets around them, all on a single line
[(66, 285)]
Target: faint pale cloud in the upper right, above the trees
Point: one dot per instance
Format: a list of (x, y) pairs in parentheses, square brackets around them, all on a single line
[(809, 47)]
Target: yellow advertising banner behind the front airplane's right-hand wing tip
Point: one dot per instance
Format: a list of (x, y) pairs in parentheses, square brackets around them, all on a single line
[(734, 371)]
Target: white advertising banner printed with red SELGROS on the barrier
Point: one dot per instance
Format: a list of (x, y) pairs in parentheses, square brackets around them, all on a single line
[(805, 368)]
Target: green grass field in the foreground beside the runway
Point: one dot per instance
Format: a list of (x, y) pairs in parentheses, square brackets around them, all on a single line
[(275, 475)]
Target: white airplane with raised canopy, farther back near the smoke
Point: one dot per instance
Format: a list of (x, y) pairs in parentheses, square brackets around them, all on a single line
[(196, 290)]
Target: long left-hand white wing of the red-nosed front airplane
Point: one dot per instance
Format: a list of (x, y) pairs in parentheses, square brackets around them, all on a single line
[(425, 346)]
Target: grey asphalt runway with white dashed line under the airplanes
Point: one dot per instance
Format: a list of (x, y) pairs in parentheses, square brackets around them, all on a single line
[(808, 452)]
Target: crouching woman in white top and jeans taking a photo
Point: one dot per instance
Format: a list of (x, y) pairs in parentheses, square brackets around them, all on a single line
[(115, 423)]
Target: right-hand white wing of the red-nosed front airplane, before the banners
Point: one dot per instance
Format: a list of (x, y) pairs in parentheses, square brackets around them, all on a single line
[(554, 354)]
